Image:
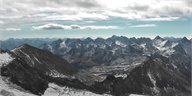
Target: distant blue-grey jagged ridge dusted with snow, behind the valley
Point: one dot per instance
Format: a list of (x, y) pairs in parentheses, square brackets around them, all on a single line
[(90, 52)]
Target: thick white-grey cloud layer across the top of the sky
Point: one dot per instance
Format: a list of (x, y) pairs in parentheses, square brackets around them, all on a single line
[(95, 9)]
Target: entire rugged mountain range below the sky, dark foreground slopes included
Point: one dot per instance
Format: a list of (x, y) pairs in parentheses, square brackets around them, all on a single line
[(118, 66)]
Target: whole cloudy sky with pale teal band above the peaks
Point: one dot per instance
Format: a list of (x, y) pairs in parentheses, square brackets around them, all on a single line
[(94, 18)]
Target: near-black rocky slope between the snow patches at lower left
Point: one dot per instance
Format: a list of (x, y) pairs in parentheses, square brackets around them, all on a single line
[(25, 76)]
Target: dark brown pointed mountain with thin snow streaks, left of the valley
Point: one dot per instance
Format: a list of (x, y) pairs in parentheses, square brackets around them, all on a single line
[(43, 60)]
